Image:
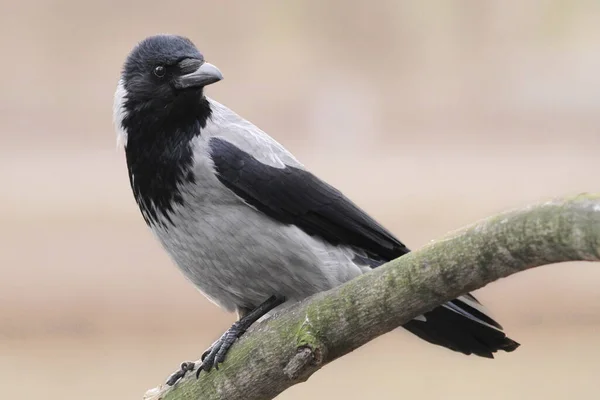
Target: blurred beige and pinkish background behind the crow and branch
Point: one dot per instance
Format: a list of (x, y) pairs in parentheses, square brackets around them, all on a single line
[(429, 114)]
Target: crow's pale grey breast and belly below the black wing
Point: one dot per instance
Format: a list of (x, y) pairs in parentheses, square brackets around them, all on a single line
[(237, 256)]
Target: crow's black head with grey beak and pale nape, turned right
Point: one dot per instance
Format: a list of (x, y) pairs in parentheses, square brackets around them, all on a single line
[(162, 76)]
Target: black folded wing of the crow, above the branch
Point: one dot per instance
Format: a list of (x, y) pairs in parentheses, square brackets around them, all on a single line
[(295, 196)]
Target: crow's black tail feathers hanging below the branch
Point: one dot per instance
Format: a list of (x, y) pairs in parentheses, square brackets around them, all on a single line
[(462, 325)]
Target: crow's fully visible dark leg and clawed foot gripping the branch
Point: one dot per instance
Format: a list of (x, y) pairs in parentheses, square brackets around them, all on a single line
[(217, 352)]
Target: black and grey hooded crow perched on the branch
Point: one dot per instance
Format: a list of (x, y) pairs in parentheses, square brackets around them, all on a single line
[(246, 222)]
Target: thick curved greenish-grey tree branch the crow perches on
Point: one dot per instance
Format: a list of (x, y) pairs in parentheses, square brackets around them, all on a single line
[(289, 347)]
